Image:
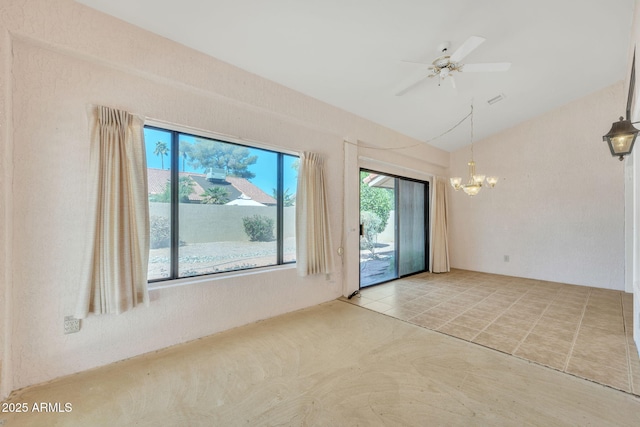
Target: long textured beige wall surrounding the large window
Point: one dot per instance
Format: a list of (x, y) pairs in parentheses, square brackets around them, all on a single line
[(58, 57)]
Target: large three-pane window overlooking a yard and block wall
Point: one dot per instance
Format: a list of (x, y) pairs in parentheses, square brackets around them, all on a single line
[(217, 206)]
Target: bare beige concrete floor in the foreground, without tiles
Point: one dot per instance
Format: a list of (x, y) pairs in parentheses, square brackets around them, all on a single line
[(335, 364)]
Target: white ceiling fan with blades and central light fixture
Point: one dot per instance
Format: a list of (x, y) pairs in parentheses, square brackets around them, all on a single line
[(446, 65)]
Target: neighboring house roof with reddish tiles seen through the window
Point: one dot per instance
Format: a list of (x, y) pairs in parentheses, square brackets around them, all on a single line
[(158, 178)]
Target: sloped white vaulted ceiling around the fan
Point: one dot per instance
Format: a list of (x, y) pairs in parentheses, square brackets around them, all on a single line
[(349, 53)]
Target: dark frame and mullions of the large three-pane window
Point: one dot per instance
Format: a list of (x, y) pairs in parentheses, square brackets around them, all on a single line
[(174, 161)]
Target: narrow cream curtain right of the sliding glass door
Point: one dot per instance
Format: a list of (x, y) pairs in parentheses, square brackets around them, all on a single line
[(440, 252)]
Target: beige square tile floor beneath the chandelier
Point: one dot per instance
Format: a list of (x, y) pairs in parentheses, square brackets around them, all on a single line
[(584, 331)]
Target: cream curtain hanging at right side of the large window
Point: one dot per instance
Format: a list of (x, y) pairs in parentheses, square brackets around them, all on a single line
[(313, 240)]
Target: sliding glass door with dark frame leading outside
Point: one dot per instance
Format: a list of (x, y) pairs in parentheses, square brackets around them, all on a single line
[(393, 227)]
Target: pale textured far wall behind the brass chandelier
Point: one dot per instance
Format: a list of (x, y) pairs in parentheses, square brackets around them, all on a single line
[(558, 210)]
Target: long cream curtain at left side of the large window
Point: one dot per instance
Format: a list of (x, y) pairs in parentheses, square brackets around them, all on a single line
[(115, 271)]
